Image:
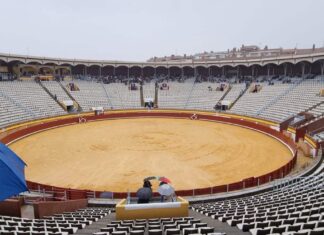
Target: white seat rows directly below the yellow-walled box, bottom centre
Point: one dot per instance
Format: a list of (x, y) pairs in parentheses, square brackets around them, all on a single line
[(163, 226)]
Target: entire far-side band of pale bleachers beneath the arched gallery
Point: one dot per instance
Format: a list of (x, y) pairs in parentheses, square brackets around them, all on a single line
[(27, 100)]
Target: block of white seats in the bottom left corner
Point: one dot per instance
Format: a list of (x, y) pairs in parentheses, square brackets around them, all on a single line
[(59, 224)]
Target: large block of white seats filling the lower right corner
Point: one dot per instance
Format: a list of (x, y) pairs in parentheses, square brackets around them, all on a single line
[(296, 207)]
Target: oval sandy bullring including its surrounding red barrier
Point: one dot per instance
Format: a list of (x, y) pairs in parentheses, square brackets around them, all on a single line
[(116, 150)]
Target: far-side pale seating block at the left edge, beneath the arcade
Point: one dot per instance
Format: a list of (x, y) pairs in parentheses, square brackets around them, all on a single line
[(25, 101)]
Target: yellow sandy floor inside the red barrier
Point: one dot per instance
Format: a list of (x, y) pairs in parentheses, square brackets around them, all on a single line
[(115, 155)]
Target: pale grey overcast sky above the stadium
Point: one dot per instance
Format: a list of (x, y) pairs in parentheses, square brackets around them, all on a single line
[(139, 29)]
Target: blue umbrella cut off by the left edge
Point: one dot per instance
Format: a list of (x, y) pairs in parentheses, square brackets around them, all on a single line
[(12, 173)]
